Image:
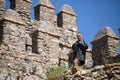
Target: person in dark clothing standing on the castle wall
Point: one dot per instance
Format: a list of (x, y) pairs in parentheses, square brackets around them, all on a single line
[(79, 50)]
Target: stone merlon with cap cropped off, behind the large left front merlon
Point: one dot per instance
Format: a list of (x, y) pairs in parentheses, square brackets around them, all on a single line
[(23, 7)]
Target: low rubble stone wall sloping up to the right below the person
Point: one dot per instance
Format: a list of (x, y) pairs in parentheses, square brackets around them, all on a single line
[(103, 72)]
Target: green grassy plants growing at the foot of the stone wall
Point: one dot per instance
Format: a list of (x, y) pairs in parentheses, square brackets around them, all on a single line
[(56, 73)]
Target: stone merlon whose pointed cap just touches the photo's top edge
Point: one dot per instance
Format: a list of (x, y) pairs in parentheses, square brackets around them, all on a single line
[(44, 11)]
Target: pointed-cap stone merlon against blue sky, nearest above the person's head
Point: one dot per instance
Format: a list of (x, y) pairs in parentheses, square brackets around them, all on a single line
[(66, 16)]
